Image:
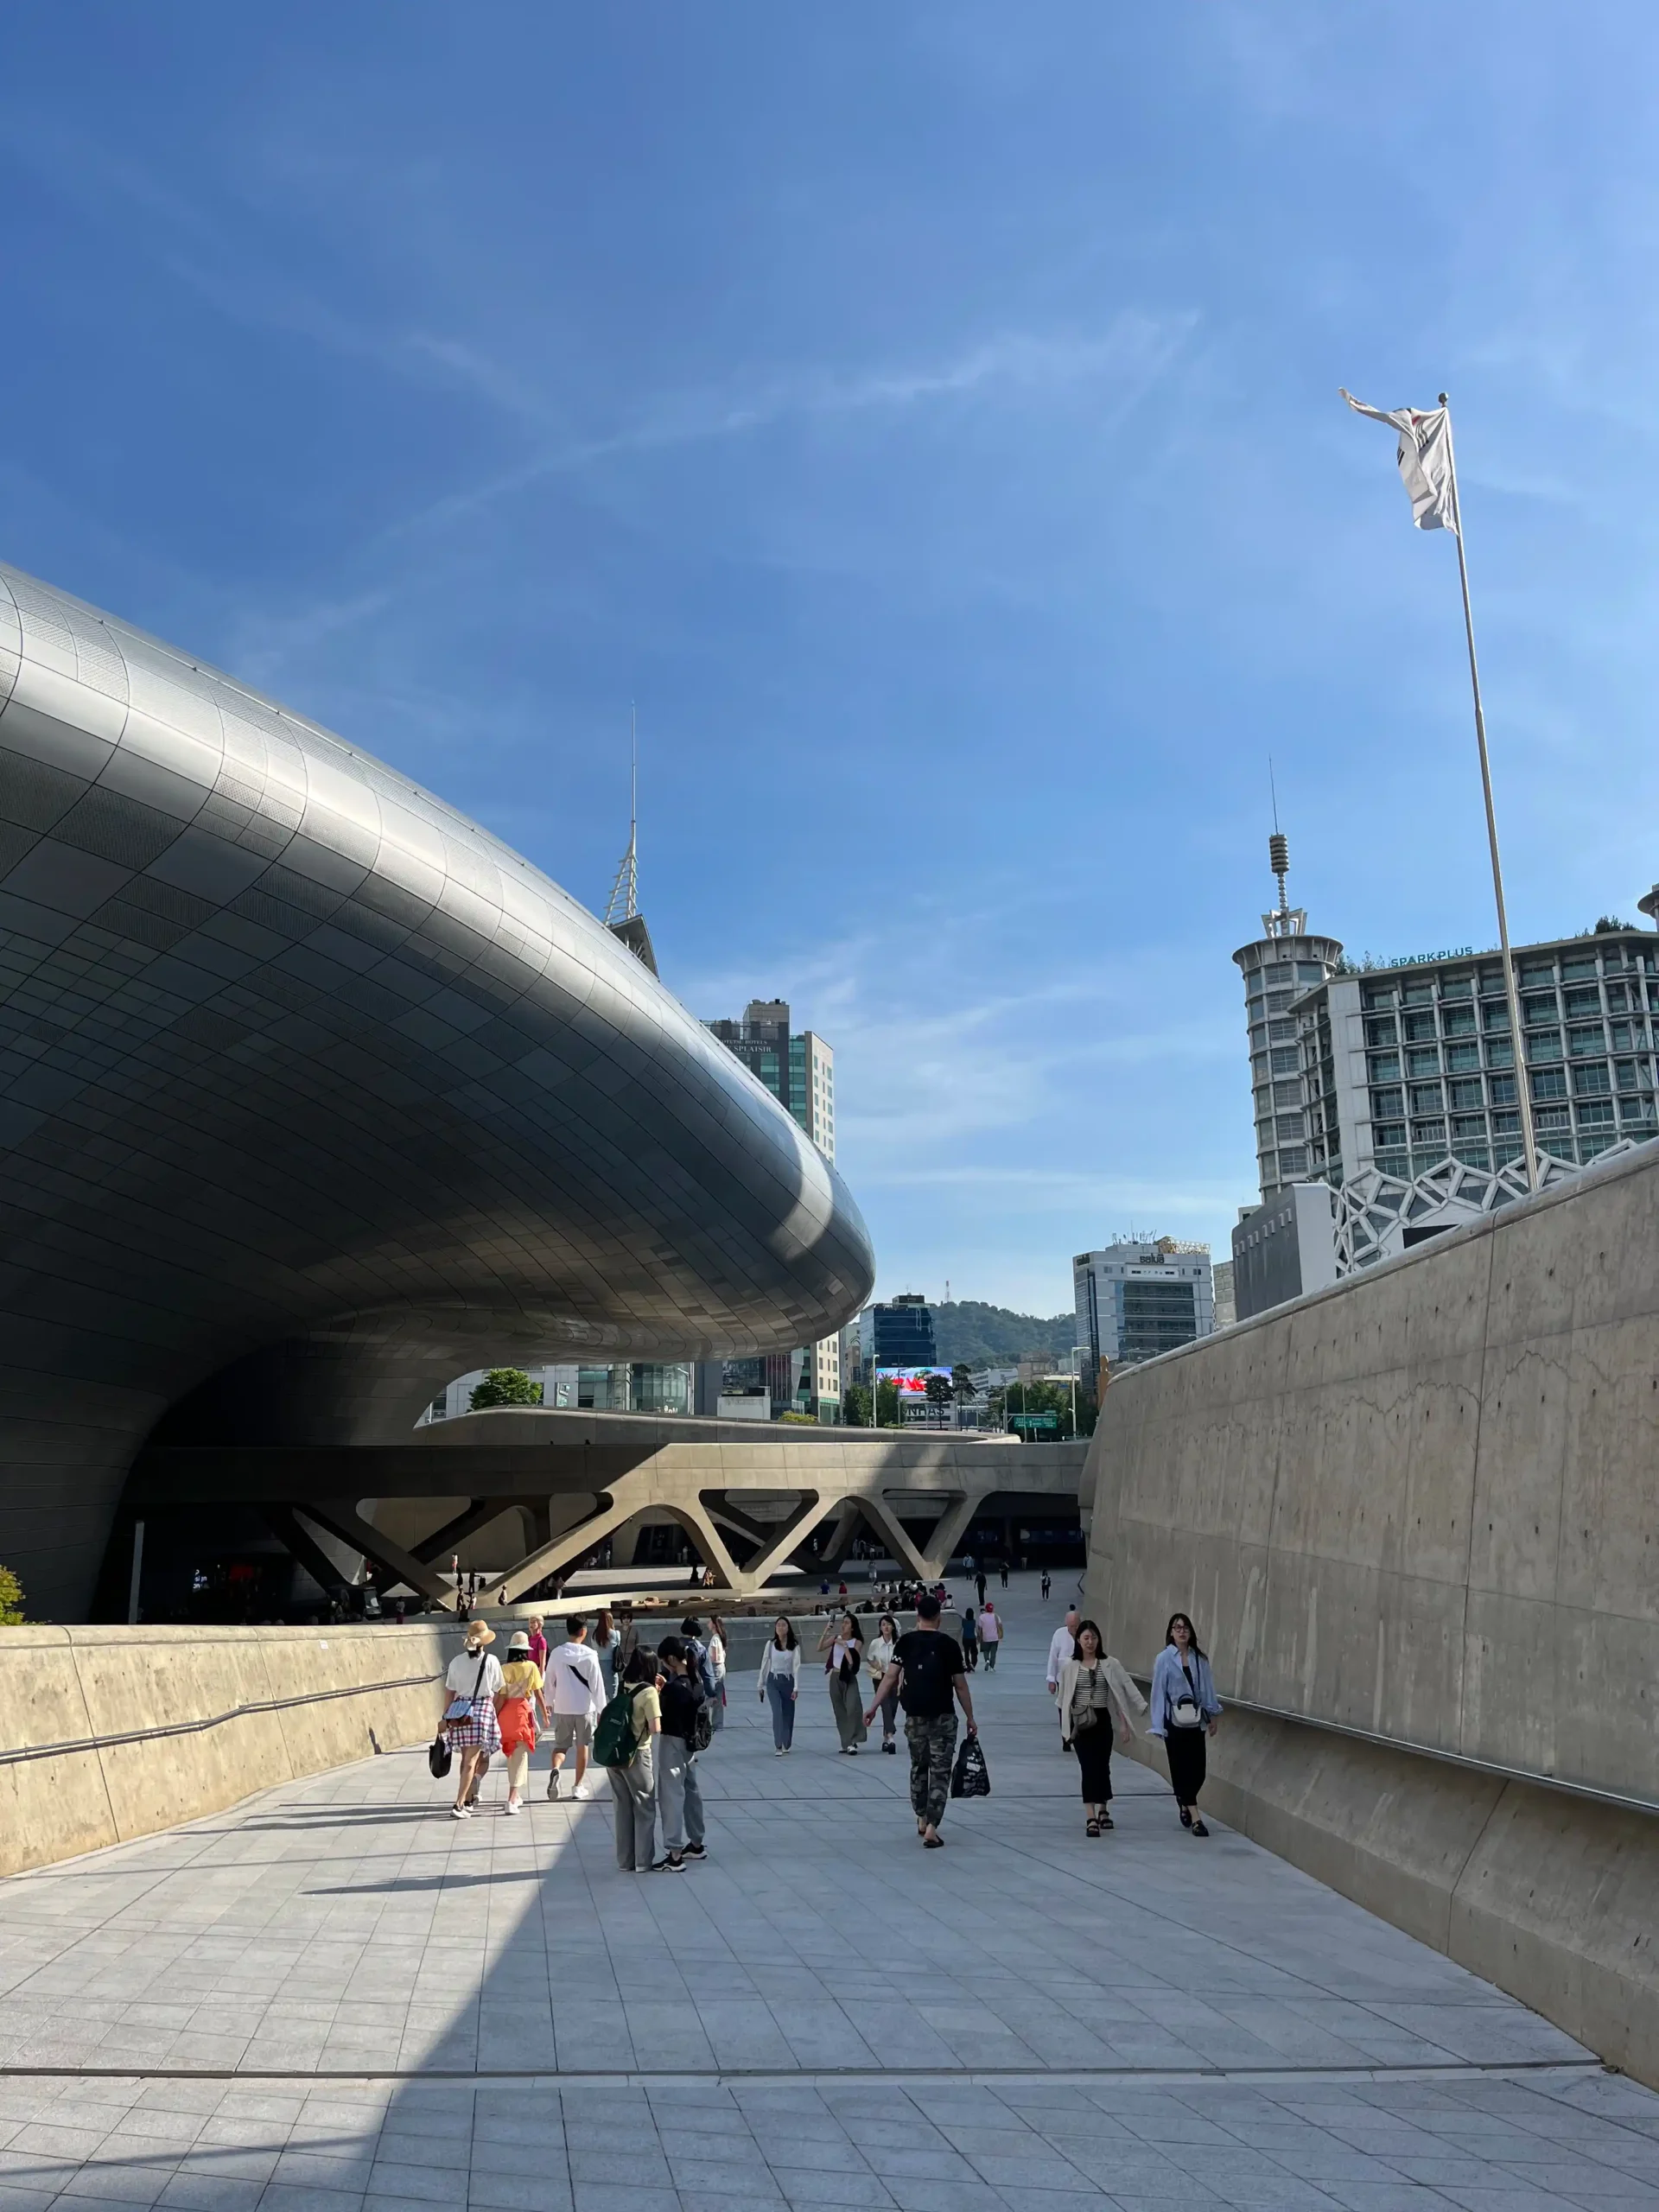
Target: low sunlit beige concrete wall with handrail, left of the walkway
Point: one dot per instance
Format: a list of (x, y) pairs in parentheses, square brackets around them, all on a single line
[(278, 1704)]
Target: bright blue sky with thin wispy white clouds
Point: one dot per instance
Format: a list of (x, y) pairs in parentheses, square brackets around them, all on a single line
[(930, 419)]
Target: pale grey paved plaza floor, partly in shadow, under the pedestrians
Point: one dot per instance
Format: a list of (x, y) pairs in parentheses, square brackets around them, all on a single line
[(337, 1996)]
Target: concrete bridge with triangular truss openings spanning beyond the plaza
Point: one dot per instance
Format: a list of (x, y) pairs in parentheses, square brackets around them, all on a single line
[(559, 1485)]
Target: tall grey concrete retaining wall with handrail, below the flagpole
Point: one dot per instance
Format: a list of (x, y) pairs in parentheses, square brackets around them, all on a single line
[(1426, 1505)]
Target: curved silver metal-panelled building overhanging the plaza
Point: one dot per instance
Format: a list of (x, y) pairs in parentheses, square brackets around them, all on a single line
[(313, 1096)]
